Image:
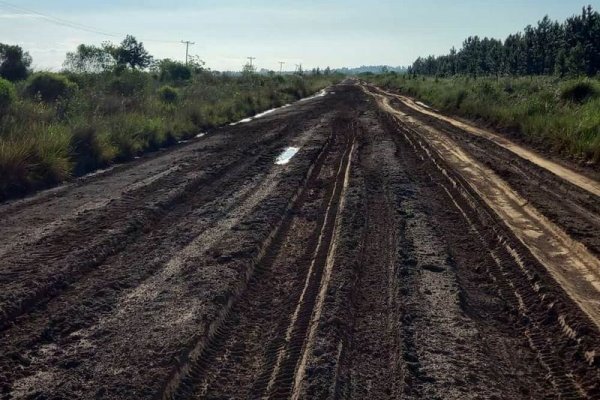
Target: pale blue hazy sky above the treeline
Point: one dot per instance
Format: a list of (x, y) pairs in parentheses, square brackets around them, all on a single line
[(335, 33)]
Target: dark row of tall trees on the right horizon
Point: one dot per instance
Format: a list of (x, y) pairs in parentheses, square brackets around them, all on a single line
[(550, 48)]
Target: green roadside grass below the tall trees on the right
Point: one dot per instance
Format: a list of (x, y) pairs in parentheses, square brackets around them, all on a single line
[(560, 115)]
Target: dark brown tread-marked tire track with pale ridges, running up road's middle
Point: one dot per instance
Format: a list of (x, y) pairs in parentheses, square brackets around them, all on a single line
[(210, 371)]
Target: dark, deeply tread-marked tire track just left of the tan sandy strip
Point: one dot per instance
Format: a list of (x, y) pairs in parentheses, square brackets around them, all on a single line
[(548, 326)]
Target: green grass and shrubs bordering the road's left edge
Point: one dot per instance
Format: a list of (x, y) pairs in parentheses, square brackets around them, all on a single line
[(106, 118)]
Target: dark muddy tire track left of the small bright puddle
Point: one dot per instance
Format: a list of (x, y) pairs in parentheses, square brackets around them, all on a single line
[(44, 269)]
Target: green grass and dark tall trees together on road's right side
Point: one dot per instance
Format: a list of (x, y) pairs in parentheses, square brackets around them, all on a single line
[(532, 84)]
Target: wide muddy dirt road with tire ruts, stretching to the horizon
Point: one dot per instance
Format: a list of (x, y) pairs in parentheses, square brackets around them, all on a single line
[(398, 254)]
